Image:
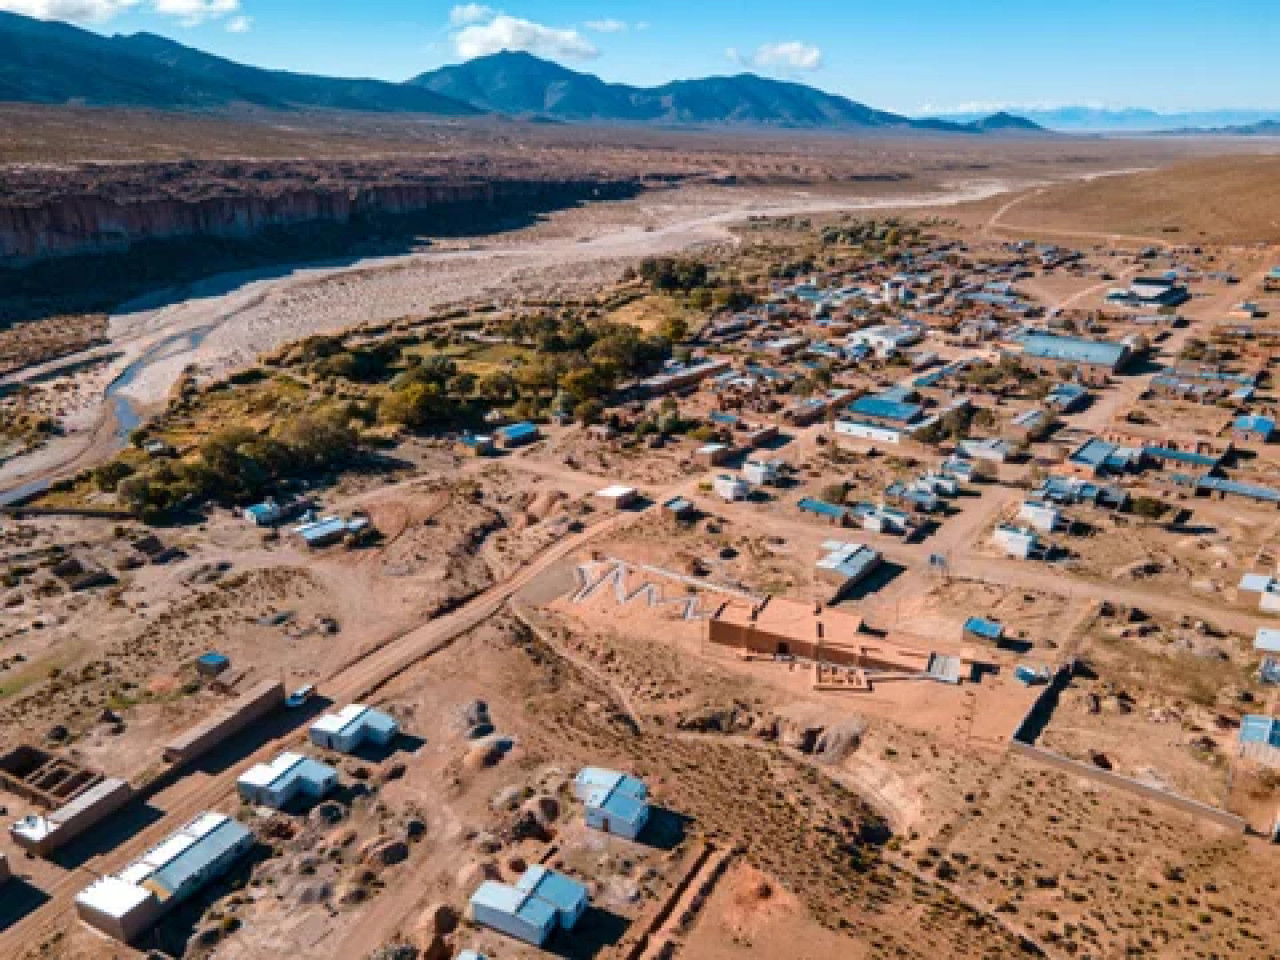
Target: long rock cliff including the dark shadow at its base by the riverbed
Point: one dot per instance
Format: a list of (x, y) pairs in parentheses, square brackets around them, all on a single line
[(86, 239)]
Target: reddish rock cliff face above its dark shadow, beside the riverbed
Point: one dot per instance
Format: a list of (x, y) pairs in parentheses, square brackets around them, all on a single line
[(113, 211)]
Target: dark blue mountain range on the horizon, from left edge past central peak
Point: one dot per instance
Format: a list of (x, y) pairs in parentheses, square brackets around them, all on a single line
[(47, 62)]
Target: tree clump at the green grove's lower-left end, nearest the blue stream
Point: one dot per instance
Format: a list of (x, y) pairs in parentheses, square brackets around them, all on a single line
[(236, 465)]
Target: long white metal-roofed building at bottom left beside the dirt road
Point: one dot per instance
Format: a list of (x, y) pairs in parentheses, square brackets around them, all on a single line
[(126, 904)]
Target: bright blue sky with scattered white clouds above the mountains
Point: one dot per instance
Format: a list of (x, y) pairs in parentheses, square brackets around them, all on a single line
[(925, 56)]
